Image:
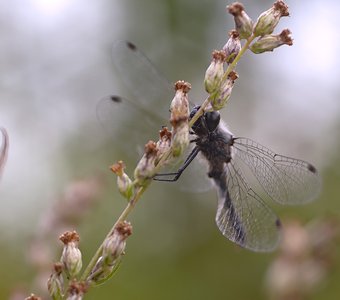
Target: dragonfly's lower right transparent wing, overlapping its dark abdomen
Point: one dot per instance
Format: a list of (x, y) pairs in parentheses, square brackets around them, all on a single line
[(242, 216)]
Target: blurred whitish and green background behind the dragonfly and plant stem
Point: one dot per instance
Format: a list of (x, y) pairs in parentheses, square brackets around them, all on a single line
[(55, 65)]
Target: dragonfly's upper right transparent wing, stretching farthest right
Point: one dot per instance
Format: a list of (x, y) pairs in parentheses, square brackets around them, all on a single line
[(286, 180)]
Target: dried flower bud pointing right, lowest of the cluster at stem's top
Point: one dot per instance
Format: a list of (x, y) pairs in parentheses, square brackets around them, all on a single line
[(270, 42)]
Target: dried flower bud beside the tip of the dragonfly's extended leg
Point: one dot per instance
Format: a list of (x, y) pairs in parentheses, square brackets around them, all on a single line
[(145, 169)]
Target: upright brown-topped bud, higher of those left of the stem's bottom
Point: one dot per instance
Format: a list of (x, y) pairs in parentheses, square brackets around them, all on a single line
[(71, 256)]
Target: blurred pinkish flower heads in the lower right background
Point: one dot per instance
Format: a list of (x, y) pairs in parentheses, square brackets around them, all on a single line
[(306, 257)]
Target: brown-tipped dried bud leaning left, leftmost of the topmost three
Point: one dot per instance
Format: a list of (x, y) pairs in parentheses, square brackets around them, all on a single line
[(243, 23)]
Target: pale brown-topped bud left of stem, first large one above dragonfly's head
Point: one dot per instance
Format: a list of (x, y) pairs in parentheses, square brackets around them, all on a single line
[(215, 71)]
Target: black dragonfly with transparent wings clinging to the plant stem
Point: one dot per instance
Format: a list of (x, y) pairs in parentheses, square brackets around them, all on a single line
[(243, 216)]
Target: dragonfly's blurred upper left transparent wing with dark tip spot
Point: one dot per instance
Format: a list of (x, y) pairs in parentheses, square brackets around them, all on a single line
[(149, 88)]
